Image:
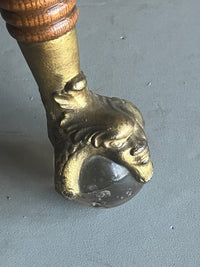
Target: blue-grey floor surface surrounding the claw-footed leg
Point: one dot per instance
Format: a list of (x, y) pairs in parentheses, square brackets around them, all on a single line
[(156, 65)]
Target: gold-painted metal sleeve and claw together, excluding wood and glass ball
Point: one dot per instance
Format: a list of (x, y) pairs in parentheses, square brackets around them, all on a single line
[(82, 124)]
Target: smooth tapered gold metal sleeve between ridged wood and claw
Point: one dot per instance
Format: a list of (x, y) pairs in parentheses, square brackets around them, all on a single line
[(53, 63)]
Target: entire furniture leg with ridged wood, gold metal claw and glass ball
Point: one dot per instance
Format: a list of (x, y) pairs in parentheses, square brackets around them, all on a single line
[(101, 151)]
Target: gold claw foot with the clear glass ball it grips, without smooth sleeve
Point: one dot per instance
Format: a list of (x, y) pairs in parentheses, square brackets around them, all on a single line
[(101, 152)]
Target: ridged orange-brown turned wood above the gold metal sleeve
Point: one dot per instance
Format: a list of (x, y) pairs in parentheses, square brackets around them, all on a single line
[(39, 20)]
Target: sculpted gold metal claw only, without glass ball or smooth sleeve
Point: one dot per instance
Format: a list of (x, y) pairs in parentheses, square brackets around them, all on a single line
[(91, 125)]
